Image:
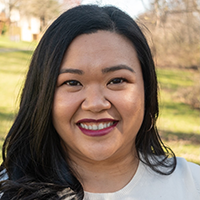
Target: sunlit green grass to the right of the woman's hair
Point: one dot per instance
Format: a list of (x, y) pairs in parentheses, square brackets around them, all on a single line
[(179, 124)]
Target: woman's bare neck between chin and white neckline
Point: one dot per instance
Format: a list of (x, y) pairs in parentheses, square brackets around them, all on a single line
[(105, 176)]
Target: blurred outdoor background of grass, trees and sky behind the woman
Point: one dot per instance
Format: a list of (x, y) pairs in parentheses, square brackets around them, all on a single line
[(172, 28)]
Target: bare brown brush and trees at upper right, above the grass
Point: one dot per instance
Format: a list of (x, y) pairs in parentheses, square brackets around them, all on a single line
[(175, 28)]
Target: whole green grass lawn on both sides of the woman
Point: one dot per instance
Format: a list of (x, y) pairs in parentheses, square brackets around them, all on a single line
[(178, 124)]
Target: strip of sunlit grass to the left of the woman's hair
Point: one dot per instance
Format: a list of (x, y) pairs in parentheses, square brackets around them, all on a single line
[(13, 67)]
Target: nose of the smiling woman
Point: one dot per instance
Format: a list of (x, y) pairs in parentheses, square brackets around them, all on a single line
[(95, 100)]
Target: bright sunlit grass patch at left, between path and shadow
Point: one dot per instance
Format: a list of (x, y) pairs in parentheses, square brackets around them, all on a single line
[(12, 75)]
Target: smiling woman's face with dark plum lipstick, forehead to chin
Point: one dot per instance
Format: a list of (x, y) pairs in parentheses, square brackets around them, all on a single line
[(99, 99)]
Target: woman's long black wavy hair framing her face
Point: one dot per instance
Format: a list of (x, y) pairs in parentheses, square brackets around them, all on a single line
[(33, 158)]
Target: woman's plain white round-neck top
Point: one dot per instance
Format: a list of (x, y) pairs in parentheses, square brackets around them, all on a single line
[(182, 184)]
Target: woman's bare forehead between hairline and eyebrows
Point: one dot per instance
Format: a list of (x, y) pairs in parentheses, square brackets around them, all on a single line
[(103, 48)]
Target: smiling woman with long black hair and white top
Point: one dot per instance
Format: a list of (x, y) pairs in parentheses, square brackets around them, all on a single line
[(86, 127)]
